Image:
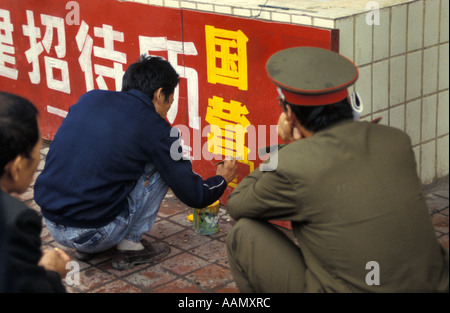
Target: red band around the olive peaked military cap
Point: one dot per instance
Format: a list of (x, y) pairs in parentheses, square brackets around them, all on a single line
[(315, 99)]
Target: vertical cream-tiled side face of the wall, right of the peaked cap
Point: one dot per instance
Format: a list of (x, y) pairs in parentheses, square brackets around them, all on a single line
[(411, 82)]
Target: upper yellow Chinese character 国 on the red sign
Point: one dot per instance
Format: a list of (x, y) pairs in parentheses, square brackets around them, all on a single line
[(226, 56)]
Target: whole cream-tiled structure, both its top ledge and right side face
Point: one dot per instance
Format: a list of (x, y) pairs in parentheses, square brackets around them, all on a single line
[(403, 61)]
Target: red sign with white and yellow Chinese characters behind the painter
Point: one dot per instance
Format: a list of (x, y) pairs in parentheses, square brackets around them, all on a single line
[(53, 51)]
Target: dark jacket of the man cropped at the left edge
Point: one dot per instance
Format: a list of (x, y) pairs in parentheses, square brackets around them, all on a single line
[(23, 229)]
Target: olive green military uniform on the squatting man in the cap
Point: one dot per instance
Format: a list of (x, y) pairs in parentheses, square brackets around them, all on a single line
[(353, 196)]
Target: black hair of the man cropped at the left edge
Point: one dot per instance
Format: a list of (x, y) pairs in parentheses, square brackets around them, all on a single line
[(19, 130)]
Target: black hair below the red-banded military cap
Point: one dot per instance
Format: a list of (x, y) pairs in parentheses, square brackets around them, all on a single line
[(316, 118)]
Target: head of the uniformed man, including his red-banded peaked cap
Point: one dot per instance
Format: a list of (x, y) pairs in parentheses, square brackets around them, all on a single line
[(312, 85)]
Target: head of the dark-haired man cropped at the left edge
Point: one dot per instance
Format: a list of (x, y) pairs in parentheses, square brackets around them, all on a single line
[(20, 142)]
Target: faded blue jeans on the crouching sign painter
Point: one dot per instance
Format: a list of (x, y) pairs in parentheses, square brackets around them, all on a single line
[(143, 206)]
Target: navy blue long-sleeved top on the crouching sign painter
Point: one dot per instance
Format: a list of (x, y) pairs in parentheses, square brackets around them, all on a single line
[(100, 151)]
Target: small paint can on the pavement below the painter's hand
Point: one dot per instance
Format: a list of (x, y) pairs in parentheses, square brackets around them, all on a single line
[(206, 220)]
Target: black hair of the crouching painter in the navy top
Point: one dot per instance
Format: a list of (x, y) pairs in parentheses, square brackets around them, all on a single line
[(149, 74)]
